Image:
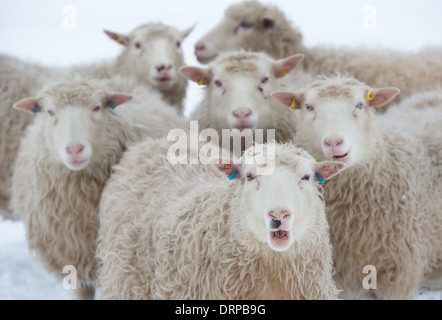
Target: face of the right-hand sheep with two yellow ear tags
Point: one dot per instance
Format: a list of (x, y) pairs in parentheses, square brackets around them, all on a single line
[(337, 118)]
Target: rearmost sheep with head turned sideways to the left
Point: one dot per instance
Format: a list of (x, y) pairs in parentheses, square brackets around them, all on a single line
[(259, 27)]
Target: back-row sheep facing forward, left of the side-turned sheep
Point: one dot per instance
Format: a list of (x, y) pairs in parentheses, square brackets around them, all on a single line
[(152, 54)]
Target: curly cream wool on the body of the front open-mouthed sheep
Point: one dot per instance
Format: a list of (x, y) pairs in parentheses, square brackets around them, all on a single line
[(194, 247)]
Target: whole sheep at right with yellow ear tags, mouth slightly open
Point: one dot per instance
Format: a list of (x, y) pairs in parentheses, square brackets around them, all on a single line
[(384, 209)]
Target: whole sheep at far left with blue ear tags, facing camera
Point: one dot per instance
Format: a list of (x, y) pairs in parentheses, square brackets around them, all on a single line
[(63, 163)]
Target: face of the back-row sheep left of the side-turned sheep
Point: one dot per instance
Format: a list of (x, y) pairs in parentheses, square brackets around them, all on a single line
[(153, 54)]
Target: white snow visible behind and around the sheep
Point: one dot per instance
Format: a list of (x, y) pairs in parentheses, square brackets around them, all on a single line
[(39, 31)]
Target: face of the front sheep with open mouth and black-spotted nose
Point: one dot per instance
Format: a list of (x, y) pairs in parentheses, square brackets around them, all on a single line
[(279, 208)]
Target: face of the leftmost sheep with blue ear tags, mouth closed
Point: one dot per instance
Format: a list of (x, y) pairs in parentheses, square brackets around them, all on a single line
[(74, 117)]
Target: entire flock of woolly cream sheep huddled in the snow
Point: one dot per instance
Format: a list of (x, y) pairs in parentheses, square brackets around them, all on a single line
[(303, 173)]
